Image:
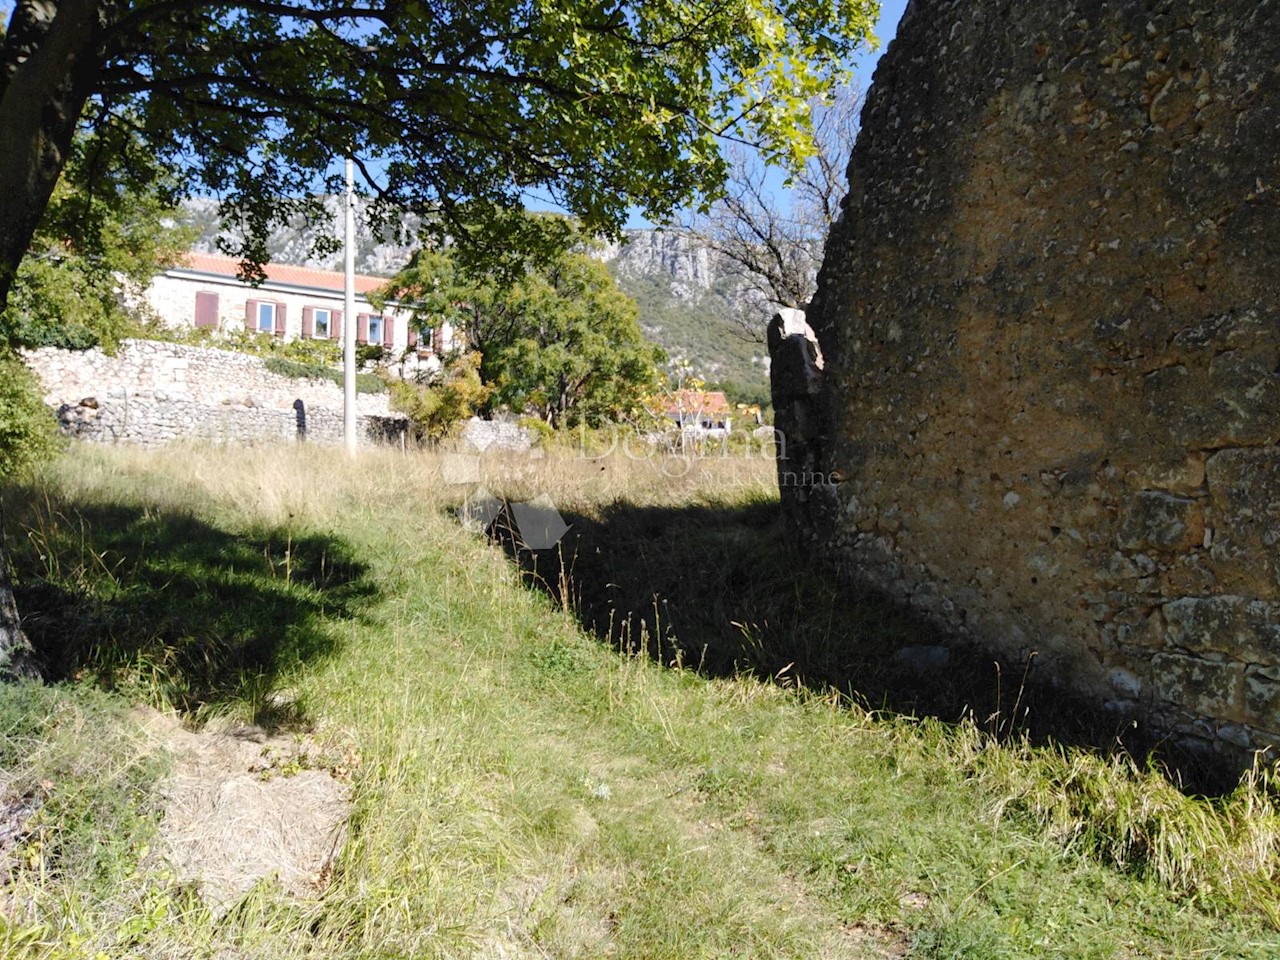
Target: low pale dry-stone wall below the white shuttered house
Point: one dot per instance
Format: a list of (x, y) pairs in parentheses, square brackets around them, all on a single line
[(153, 394)]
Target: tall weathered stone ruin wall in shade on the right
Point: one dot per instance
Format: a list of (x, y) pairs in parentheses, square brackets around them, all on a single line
[(1050, 319)]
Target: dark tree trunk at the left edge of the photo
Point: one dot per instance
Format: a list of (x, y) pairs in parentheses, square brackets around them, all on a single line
[(51, 61)]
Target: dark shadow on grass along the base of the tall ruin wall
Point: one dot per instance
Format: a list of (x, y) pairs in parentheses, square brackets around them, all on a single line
[(716, 589)]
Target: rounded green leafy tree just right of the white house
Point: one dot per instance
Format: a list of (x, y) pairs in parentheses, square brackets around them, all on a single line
[(556, 339)]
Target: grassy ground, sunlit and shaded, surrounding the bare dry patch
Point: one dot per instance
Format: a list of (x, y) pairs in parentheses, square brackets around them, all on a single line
[(525, 789)]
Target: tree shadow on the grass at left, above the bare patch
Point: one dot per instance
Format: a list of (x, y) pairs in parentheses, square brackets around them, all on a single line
[(170, 606)]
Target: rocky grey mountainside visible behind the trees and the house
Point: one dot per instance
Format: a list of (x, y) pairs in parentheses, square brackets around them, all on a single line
[(689, 305)]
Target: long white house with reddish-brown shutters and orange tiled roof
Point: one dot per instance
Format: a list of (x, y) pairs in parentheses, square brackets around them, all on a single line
[(204, 291)]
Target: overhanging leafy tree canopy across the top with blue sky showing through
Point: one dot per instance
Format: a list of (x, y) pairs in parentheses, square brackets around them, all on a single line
[(455, 109)]
